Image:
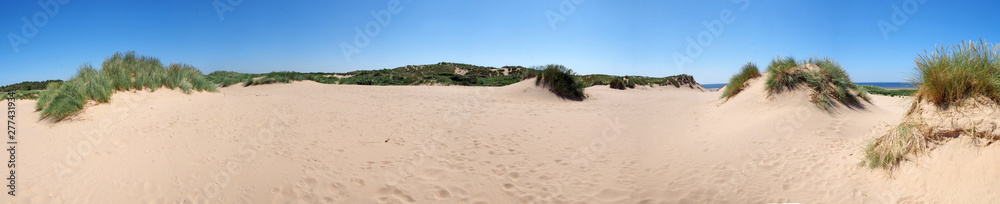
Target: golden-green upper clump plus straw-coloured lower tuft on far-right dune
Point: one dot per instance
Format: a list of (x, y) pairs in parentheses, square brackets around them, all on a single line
[(950, 76)]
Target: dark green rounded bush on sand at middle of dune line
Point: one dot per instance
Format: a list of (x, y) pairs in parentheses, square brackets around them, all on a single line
[(561, 81)]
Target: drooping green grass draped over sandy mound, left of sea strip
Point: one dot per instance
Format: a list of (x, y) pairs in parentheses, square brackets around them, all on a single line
[(829, 82)]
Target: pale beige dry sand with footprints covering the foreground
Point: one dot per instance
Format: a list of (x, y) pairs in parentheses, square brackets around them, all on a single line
[(306, 142)]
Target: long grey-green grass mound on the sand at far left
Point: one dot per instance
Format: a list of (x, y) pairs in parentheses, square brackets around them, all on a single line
[(120, 72)]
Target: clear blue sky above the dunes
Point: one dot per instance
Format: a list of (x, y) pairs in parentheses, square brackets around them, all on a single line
[(611, 37)]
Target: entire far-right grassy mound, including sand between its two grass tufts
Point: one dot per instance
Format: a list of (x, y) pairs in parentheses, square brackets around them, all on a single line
[(960, 75)]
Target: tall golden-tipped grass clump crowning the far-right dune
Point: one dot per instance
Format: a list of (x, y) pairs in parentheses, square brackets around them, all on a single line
[(954, 73)]
